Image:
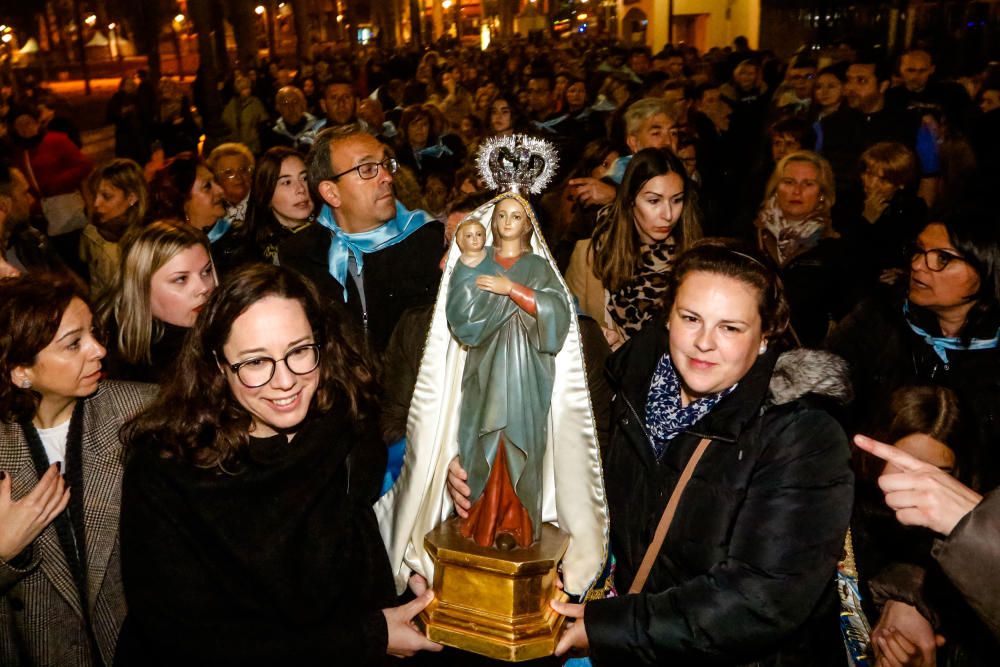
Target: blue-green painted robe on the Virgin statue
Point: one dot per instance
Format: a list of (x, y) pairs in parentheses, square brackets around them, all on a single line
[(508, 376)]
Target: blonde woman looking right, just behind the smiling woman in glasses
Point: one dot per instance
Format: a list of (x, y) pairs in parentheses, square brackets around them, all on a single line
[(166, 277)]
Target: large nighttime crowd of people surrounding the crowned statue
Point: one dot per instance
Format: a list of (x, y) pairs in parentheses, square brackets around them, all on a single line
[(209, 343)]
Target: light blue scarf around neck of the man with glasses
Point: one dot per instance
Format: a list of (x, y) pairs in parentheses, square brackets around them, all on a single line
[(344, 245)]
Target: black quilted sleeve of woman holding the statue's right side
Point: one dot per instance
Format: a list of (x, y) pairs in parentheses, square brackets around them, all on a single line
[(783, 554)]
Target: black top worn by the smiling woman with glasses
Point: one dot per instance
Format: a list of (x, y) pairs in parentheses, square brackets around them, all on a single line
[(278, 561)]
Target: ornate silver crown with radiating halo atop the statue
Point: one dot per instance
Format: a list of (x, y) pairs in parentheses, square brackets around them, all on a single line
[(517, 163)]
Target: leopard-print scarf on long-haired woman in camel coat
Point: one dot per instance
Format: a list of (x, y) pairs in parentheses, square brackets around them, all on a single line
[(636, 303)]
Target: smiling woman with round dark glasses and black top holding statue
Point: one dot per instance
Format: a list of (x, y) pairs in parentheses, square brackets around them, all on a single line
[(248, 535)]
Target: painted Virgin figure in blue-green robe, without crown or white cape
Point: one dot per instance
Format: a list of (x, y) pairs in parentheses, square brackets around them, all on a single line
[(512, 313)]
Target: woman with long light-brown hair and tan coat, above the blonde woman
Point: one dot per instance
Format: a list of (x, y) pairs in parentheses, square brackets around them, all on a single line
[(120, 201)]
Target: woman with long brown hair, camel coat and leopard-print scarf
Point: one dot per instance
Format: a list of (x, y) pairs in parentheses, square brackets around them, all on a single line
[(620, 274)]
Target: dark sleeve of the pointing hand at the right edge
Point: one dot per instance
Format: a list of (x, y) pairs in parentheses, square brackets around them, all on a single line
[(970, 556)]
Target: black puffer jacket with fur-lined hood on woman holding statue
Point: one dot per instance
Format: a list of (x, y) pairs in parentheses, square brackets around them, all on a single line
[(747, 571)]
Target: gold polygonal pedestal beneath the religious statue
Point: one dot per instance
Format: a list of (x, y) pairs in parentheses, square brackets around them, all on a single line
[(491, 602)]
